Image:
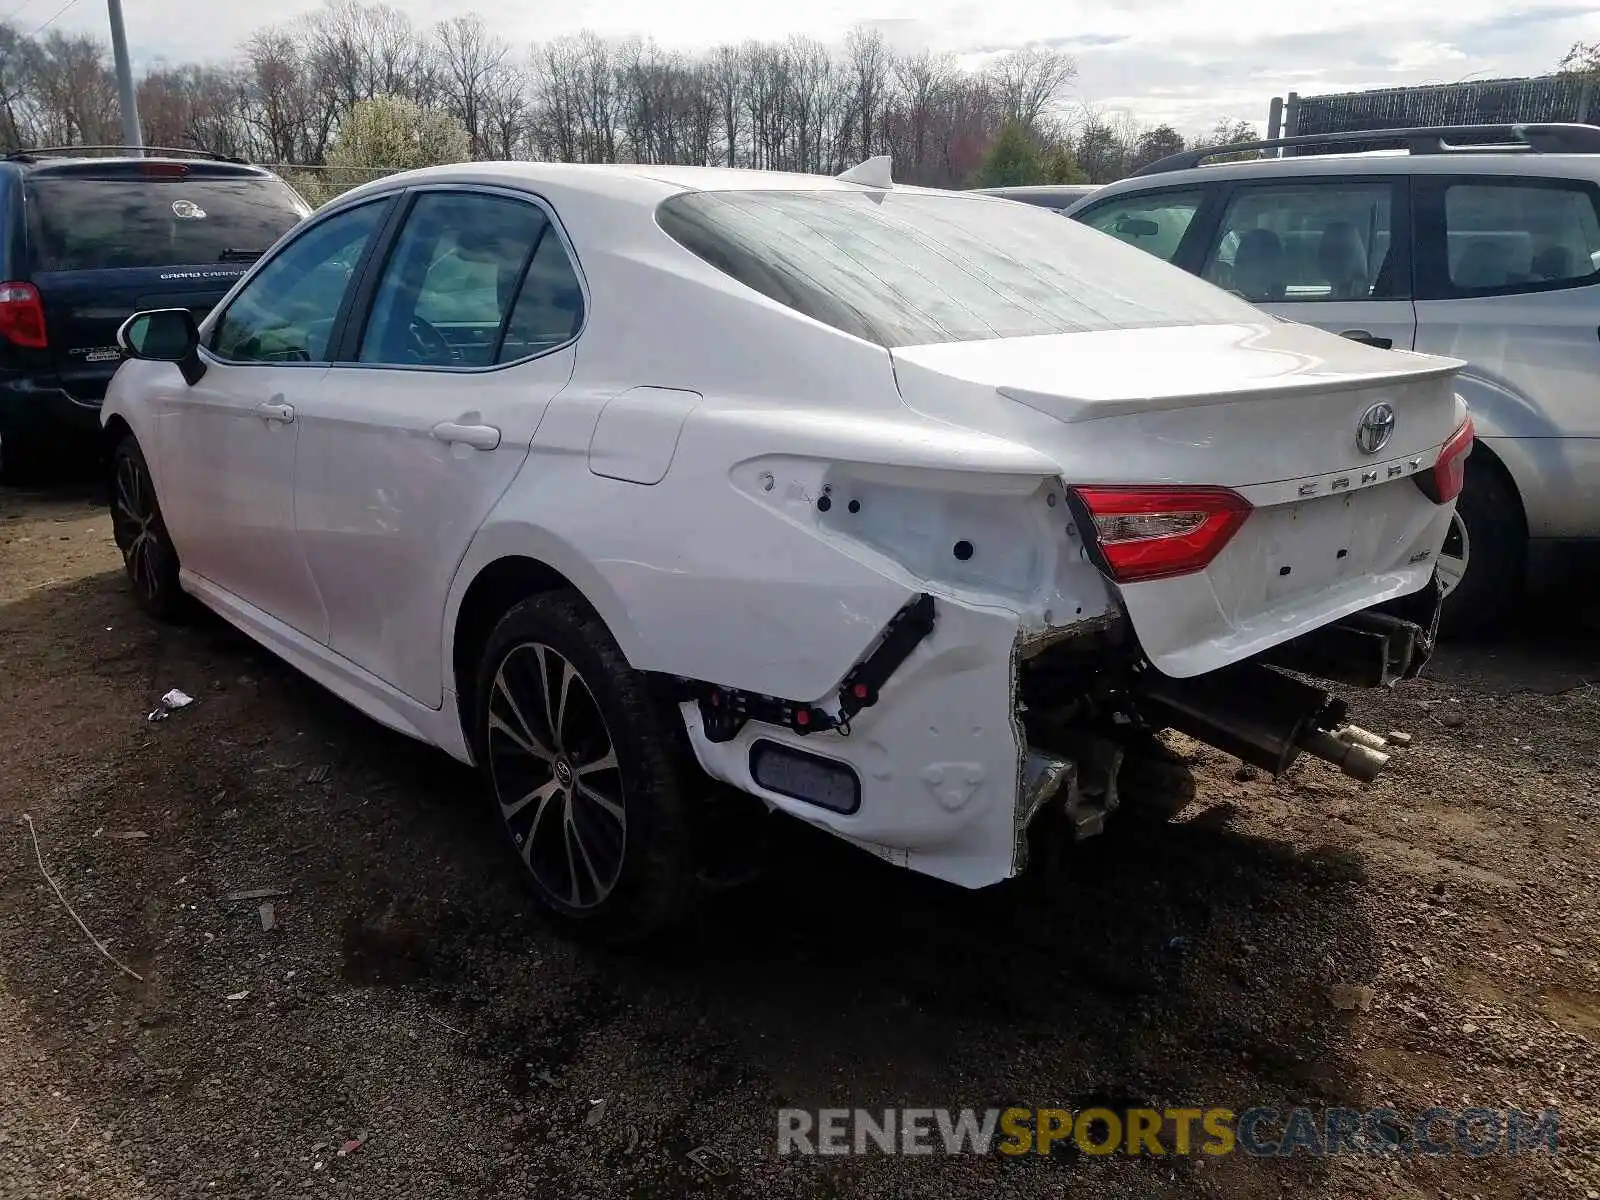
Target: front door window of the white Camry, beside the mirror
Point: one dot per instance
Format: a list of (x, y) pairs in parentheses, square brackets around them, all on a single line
[(286, 314)]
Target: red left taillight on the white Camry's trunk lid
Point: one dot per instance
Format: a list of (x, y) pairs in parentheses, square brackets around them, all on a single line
[(1161, 532)]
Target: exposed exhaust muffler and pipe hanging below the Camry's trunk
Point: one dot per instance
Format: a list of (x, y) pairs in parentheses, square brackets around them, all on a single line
[(1265, 719)]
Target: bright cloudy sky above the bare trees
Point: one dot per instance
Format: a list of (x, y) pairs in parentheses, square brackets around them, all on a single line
[(1162, 60)]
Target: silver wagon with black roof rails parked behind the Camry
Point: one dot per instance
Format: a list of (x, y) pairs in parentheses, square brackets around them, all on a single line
[(1481, 242)]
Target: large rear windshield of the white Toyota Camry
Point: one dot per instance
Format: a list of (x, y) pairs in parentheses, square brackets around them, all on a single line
[(913, 270)]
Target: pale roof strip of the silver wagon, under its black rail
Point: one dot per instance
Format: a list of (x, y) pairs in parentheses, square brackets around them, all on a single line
[(1370, 162)]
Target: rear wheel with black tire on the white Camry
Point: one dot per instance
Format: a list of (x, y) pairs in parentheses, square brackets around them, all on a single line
[(585, 770)]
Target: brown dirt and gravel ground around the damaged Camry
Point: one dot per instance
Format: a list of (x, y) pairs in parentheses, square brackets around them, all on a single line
[(409, 998)]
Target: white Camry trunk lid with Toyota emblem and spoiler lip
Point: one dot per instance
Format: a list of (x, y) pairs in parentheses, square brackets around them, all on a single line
[(1274, 412)]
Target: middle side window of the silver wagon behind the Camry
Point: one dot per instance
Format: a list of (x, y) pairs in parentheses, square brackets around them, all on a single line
[(1308, 242)]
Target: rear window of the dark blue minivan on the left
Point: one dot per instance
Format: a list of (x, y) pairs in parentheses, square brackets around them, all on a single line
[(81, 223)]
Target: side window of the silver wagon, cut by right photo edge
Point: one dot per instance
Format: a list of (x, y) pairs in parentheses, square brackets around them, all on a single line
[(1521, 236)]
